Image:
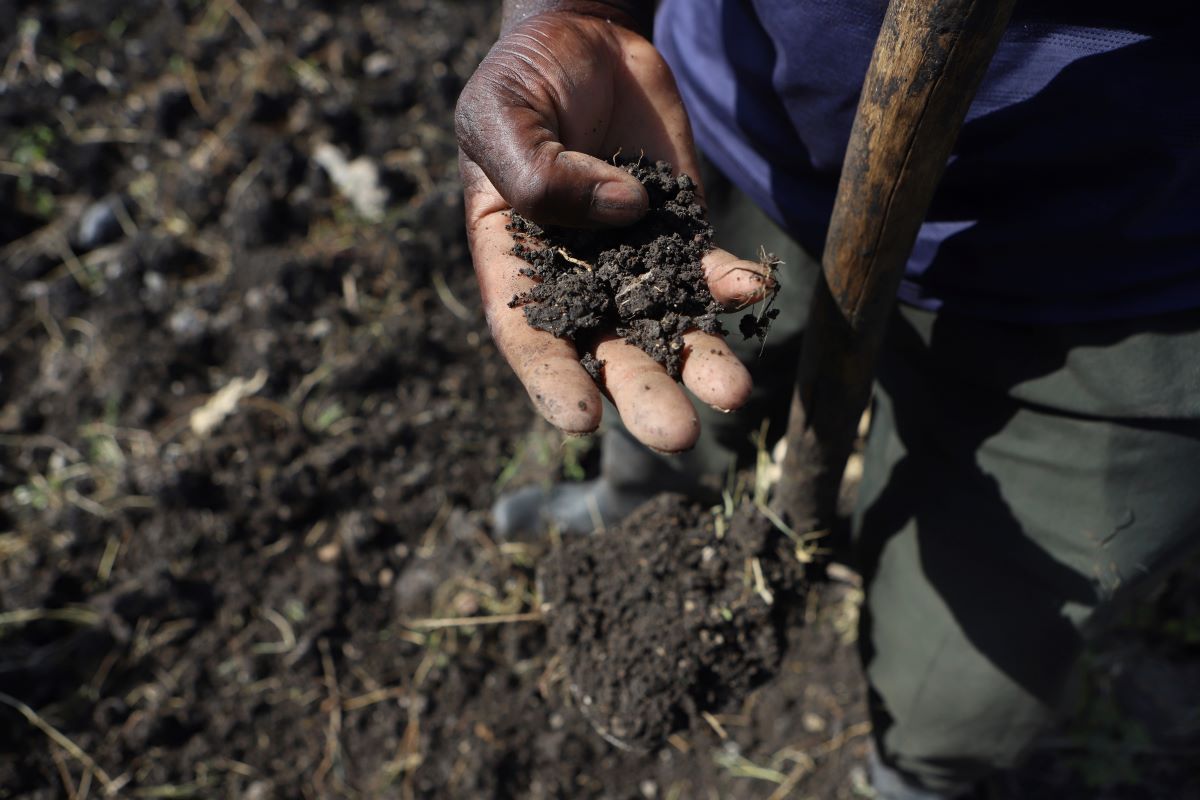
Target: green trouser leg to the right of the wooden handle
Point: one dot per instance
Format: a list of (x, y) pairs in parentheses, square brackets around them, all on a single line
[(994, 536)]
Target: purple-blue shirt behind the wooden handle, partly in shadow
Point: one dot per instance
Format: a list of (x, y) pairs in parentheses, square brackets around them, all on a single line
[(1073, 193)]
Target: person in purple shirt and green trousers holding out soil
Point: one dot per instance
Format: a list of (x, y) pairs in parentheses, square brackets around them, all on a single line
[(1036, 435)]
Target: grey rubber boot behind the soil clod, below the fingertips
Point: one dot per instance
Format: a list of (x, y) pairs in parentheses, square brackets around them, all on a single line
[(631, 474)]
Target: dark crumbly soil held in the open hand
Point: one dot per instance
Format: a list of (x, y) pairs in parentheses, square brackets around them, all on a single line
[(644, 282)]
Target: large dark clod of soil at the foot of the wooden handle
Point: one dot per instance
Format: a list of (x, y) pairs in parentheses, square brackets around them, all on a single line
[(663, 619)]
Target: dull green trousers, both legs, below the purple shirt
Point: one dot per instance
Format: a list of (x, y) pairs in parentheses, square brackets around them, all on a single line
[(1021, 483)]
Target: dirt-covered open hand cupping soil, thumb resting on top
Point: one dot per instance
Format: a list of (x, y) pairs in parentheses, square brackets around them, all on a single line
[(556, 92)]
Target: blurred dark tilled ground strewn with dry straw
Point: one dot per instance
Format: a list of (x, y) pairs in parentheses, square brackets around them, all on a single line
[(251, 422)]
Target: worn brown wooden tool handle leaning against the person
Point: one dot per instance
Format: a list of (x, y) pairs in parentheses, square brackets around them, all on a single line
[(927, 67)]
